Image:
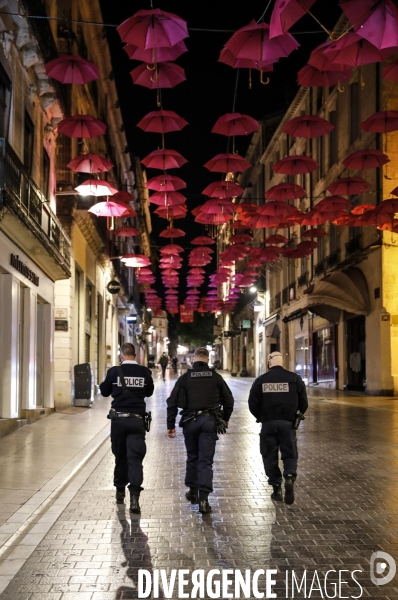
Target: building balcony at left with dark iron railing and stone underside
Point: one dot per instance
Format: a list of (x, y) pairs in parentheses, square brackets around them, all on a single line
[(28, 220)]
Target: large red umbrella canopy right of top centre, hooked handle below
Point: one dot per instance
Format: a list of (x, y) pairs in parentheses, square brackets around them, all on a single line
[(252, 42)]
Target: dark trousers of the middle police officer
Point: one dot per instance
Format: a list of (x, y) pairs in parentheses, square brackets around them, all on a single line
[(200, 442)]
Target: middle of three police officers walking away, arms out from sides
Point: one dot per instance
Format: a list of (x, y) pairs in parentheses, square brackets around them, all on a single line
[(200, 392)]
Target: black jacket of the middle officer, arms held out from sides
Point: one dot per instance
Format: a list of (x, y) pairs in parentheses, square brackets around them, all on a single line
[(204, 388)]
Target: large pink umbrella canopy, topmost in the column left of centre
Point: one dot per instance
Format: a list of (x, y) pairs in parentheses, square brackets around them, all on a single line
[(153, 28)]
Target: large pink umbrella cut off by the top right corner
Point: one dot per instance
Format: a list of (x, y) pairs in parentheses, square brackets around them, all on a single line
[(375, 21)]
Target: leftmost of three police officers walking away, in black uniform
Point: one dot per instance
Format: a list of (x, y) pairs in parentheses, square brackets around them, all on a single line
[(128, 422)]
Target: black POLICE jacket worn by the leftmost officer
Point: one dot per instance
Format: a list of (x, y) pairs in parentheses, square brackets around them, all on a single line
[(139, 383)]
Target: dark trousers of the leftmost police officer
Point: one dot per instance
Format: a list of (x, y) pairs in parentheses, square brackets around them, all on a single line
[(128, 446)]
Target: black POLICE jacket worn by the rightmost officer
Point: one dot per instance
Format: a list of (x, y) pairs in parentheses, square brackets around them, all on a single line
[(277, 395)]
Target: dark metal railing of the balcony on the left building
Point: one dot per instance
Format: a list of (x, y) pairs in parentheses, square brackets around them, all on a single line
[(23, 197)]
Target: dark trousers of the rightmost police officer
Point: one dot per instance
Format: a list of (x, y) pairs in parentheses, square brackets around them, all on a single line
[(275, 435)]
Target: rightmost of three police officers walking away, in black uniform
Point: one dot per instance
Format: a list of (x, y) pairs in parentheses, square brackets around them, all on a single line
[(275, 399)]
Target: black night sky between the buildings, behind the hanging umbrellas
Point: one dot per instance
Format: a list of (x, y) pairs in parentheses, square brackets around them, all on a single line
[(209, 90)]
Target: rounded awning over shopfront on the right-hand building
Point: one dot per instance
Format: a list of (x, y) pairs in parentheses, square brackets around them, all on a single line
[(342, 290)]
